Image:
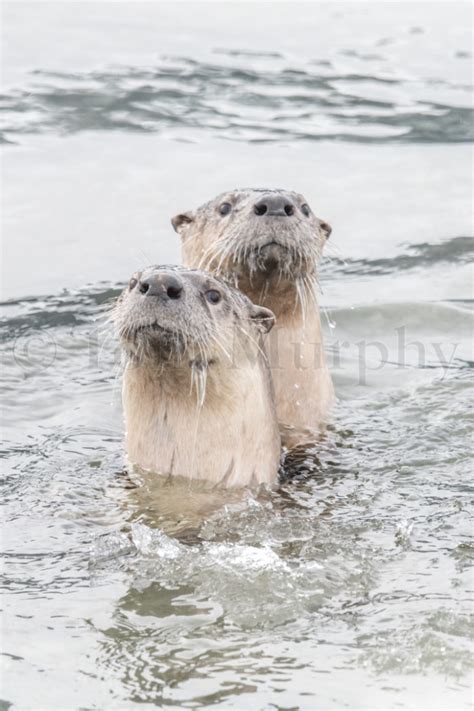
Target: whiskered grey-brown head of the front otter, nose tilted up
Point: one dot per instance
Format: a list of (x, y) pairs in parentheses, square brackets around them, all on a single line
[(185, 319)]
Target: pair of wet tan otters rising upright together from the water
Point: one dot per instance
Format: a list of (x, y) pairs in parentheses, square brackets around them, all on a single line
[(267, 243)]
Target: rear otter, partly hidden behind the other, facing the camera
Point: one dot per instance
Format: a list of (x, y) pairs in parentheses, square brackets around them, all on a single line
[(268, 243)]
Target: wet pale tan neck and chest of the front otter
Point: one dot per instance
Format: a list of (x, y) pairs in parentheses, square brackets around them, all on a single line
[(230, 439)]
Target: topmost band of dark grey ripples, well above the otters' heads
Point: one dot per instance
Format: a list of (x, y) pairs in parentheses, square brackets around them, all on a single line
[(247, 102)]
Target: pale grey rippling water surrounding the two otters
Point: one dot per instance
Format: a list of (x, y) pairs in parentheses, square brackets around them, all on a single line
[(350, 585)]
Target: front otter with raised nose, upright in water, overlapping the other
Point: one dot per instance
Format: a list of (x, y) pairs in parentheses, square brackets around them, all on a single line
[(197, 394)]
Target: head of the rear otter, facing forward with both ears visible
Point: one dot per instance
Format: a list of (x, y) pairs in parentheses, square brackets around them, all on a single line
[(253, 234)]
